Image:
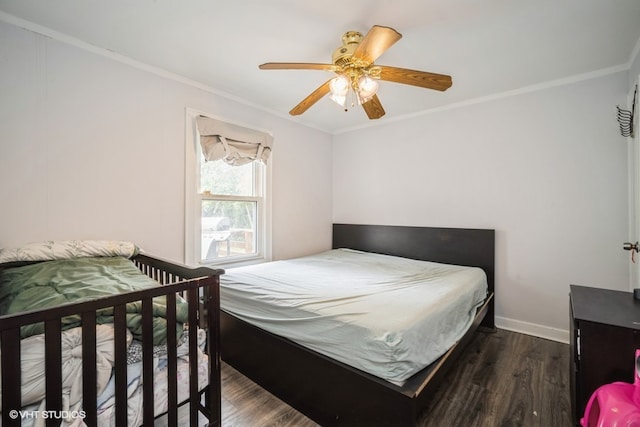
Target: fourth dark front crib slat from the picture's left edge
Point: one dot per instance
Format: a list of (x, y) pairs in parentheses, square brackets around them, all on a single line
[(120, 364)]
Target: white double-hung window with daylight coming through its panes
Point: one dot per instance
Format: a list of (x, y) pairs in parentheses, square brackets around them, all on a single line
[(227, 205)]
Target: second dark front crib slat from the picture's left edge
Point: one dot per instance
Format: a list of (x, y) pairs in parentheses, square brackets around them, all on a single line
[(53, 369)]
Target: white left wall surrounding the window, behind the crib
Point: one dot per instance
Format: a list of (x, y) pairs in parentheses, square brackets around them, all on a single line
[(91, 147)]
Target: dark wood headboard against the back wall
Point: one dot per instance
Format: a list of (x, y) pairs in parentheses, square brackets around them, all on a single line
[(459, 246)]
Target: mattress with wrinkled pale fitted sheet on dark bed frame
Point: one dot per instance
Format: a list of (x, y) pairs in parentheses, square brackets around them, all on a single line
[(385, 315)]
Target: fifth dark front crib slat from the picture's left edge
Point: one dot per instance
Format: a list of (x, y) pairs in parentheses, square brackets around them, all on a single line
[(147, 361)]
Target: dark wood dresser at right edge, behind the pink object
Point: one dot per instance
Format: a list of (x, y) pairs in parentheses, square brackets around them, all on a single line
[(605, 333)]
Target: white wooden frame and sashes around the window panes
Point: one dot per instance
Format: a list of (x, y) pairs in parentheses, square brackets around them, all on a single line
[(193, 201)]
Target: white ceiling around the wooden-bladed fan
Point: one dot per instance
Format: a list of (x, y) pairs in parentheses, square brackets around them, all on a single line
[(488, 47)]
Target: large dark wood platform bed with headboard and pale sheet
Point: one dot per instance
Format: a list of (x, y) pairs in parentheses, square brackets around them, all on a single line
[(321, 383)]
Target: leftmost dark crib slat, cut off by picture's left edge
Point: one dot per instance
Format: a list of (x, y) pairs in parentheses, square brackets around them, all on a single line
[(10, 348)]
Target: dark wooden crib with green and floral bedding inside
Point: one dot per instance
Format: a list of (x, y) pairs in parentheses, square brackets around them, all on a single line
[(88, 322)]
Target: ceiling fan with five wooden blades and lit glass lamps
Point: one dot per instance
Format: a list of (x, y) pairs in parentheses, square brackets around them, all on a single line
[(357, 75)]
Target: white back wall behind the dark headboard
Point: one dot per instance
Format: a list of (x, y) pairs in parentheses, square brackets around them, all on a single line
[(547, 169)]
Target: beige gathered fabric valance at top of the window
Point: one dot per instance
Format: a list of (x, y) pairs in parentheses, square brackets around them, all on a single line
[(235, 145)]
